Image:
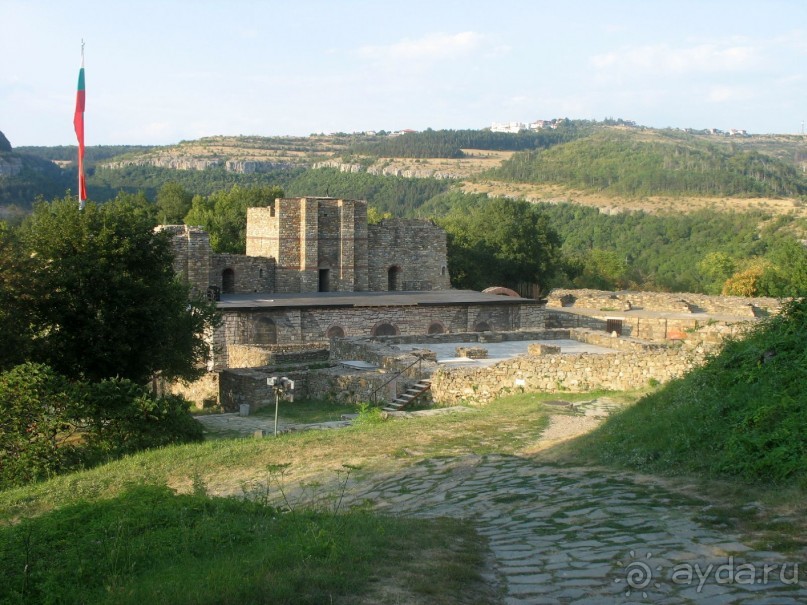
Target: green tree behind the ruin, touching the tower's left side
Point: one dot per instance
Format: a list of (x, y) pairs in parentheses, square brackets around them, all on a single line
[(224, 215)]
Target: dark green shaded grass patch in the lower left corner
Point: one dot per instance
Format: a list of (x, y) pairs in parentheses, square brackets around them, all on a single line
[(150, 545)]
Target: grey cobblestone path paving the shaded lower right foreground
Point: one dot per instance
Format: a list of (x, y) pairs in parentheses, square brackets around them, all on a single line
[(562, 535)]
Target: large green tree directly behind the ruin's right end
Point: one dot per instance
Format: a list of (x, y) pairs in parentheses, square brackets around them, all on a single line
[(501, 243)]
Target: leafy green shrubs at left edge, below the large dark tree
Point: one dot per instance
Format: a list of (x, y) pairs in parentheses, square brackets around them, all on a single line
[(49, 425)]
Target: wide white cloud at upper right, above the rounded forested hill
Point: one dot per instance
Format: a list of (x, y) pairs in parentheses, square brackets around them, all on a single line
[(664, 59)]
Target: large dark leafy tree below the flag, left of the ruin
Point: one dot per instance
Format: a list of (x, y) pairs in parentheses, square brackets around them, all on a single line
[(101, 297)]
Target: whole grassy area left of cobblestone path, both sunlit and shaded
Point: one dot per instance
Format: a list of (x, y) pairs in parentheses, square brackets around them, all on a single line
[(151, 533)]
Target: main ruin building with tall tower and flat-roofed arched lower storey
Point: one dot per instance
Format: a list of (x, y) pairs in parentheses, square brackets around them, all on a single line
[(315, 269)]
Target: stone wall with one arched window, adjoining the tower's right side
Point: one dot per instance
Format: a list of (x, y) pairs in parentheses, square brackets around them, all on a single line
[(407, 254)]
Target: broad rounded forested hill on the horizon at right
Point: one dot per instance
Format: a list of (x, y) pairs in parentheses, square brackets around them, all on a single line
[(653, 162)]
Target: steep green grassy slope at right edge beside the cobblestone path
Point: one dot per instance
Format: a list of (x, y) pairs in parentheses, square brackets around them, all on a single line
[(742, 416)]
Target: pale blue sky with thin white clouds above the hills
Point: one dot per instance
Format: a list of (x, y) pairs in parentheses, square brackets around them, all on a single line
[(161, 72)]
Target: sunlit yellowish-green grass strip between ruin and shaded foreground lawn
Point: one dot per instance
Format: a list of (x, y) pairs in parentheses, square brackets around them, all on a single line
[(506, 426)]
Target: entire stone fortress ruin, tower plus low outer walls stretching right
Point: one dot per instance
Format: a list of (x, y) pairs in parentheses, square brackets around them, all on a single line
[(371, 308)]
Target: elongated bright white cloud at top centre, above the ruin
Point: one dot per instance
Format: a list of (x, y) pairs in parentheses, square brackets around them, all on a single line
[(432, 46)]
